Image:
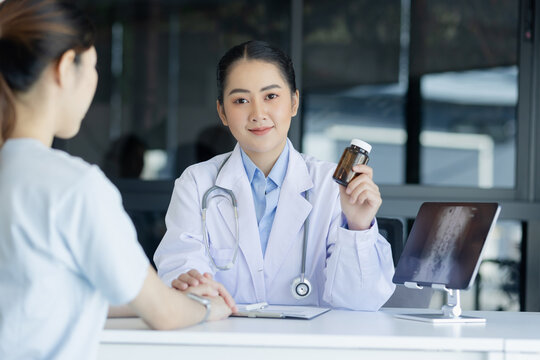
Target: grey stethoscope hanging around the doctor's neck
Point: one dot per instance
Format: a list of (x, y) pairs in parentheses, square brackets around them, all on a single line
[(300, 287)]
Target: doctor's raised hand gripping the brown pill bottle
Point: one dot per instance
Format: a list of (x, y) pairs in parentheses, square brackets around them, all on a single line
[(361, 199)]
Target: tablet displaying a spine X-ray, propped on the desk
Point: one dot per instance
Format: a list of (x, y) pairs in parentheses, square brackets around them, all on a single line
[(445, 244)]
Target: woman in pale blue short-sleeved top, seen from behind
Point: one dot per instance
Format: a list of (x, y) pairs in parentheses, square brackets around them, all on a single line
[(67, 247)]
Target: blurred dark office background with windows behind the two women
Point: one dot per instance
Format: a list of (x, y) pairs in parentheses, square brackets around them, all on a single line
[(446, 91)]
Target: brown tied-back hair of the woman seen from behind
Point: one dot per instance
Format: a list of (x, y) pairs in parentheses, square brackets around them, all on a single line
[(34, 34)]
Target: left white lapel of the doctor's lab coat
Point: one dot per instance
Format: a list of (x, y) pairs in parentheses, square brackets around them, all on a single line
[(233, 176)]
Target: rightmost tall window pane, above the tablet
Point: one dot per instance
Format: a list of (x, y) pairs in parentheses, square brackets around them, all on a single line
[(465, 53)]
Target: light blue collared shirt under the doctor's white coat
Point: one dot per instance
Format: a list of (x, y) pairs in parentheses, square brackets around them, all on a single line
[(266, 191)]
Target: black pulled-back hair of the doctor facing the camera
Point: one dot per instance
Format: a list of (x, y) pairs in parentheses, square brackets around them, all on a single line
[(254, 50)]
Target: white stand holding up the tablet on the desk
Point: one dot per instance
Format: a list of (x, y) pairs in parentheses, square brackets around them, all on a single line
[(451, 311)]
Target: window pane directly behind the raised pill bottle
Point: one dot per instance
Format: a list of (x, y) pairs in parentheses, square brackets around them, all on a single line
[(351, 82)]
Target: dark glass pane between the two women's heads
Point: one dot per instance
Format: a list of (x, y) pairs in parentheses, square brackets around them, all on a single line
[(155, 109)]
